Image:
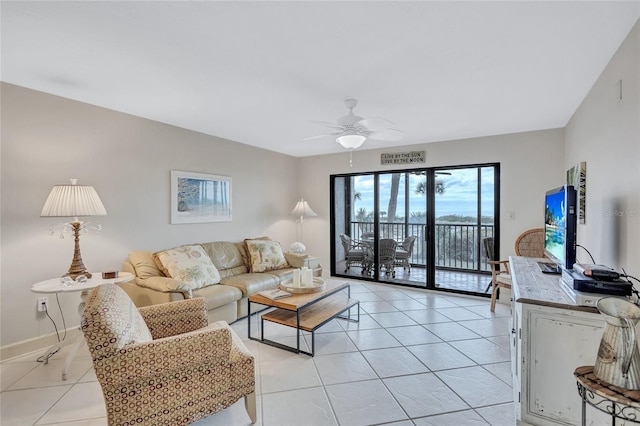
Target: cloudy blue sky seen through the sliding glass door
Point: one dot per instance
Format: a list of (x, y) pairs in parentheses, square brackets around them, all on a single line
[(459, 197)]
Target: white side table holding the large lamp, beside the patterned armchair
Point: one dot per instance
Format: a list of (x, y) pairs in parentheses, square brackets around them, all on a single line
[(56, 285)]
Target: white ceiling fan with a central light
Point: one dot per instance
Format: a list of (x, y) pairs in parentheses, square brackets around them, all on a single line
[(352, 130)]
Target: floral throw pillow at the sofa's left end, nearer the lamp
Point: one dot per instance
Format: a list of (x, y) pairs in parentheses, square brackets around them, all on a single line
[(189, 265)]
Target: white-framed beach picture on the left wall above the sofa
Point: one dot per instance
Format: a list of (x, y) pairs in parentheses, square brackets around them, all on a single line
[(200, 197)]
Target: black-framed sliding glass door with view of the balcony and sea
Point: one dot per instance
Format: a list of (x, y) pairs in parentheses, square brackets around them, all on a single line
[(418, 227)]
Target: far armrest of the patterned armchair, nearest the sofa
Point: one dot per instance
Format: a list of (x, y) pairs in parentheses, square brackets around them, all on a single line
[(170, 319)]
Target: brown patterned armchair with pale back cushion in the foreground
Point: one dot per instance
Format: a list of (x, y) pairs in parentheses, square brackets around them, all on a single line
[(162, 364)]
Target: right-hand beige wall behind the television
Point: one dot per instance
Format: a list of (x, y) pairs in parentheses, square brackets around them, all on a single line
[(605, 132)]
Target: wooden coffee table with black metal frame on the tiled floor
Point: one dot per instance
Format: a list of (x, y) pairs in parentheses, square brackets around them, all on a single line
[(306, 312)]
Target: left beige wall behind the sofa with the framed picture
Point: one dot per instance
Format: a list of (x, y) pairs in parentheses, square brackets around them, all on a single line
[(46, 140)]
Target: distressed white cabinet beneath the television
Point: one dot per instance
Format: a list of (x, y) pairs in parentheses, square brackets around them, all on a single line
[(551, 338)]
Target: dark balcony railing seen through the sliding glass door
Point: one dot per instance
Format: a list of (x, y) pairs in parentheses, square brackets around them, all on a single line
[(457, 246)]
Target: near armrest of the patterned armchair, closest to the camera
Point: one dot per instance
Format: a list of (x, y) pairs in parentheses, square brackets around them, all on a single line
[(211, 345)]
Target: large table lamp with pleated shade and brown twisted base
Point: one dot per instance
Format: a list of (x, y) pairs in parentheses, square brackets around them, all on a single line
[(74, 201)]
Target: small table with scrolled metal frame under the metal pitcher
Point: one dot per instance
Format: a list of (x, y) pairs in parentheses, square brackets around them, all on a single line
[(619, 403)]
